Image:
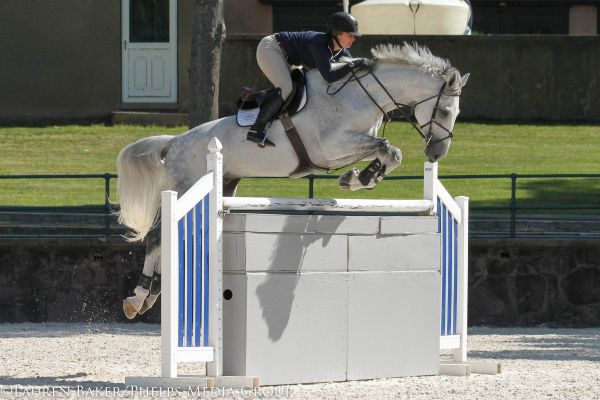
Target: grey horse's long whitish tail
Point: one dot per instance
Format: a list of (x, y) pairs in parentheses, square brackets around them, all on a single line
[(141, 179)]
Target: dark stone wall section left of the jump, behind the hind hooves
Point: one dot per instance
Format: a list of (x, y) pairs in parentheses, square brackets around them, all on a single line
[(67, 280)]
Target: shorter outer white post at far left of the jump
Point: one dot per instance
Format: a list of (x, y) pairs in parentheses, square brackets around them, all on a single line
[(169, 261)]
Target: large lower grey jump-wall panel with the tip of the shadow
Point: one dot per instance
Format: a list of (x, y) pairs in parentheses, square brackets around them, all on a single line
[(297, 327)]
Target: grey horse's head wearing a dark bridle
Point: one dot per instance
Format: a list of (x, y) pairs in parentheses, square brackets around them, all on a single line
[(437, 115)]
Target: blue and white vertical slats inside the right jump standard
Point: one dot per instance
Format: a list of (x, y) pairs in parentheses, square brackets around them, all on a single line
[(448, 227)]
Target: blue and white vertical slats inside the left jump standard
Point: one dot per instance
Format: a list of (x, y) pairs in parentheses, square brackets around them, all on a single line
[(193, 276)]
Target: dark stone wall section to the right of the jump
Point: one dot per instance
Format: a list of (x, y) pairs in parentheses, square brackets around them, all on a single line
[(527, 282)]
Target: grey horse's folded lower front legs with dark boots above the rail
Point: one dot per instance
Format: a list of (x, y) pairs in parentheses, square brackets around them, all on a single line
[(387, 159)]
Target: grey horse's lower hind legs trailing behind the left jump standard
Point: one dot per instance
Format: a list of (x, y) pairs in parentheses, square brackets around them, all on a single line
[(148, 288)]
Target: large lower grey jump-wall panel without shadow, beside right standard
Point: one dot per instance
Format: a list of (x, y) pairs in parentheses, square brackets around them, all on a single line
[(393, 324)]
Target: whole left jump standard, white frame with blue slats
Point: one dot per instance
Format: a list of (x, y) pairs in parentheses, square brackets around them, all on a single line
[(191, 271)]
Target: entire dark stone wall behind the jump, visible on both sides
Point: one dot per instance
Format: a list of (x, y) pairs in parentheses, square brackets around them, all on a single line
[(512, 282)]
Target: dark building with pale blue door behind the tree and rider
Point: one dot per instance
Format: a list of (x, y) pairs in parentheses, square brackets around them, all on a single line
[(84, 60)]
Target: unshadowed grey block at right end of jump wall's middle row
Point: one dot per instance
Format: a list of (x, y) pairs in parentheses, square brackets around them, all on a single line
[(394, 253)]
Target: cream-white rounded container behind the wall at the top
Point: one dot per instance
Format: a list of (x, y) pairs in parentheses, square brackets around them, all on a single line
[(412, 17)]
